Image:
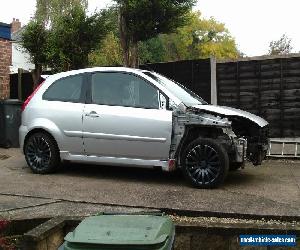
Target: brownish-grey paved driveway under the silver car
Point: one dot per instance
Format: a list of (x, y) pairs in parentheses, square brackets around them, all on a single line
[(269, 190)]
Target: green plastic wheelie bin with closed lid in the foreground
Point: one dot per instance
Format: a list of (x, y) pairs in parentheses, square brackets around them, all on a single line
[(134, 232)]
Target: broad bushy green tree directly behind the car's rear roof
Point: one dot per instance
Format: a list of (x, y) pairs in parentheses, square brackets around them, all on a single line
[(73, 37)]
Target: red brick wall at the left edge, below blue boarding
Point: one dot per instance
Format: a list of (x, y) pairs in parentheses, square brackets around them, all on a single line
[(5, 62)]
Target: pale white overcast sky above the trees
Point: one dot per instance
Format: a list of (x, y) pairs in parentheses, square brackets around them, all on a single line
[(253, 23)]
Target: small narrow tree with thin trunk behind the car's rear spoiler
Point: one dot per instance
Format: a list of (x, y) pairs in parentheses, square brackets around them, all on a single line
[(34, 41)]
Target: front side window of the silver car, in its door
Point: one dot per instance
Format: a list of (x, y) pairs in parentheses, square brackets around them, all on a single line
[(123, 89)]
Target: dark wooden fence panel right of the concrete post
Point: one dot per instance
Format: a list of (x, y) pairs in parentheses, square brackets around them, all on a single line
[(267, 87)]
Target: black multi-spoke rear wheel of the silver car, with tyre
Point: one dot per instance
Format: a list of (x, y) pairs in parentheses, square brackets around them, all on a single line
[(41, 153)]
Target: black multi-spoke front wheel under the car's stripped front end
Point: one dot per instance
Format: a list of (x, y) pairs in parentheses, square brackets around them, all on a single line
[(205, 163)]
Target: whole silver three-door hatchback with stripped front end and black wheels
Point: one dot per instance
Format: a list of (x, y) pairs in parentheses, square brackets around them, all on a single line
[(122, 116)]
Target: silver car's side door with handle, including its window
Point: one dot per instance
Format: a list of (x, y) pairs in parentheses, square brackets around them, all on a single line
[(124, 118)]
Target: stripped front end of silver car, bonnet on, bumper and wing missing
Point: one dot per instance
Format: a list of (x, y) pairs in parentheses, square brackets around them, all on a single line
[(243, 135)]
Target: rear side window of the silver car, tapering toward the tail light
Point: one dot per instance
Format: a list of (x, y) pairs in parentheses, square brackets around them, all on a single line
[(67, 89)]
